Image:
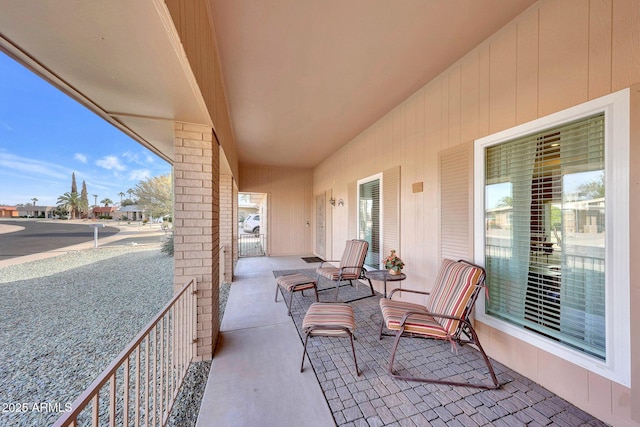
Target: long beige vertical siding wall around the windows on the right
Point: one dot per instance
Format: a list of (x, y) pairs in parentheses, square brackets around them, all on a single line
[(556, 55)]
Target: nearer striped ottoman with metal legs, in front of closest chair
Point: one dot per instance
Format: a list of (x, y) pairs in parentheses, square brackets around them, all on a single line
[(329, 319)]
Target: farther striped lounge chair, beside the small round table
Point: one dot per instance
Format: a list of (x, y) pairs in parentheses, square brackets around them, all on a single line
[(350, 267)]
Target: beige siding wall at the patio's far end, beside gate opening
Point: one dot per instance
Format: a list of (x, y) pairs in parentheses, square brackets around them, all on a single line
[(289, 206)]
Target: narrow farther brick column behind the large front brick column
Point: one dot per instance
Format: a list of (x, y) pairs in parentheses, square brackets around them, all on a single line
[(227, 227)]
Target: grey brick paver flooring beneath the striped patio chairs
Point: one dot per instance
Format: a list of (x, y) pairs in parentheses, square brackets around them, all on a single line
[(376, 399)]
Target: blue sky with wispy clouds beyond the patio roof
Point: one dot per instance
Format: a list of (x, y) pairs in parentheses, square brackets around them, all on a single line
[(45, 136)]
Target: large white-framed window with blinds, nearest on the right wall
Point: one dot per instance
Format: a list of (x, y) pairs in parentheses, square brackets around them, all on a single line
[(551, 225)]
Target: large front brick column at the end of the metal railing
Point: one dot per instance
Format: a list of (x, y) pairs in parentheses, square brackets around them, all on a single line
[(196, 218)]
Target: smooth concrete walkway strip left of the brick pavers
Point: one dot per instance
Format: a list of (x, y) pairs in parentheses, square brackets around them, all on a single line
[(255, 377)]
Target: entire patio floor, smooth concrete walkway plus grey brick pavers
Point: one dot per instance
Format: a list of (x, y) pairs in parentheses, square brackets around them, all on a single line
[(255, 375)]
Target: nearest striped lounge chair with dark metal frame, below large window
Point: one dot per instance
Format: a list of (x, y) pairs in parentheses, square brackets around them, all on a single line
[(445, 315)]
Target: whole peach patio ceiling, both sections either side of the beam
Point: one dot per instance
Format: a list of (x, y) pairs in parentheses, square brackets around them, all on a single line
[(303, 77)]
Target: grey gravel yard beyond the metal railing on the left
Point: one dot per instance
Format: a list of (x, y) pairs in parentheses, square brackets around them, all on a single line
[(64, 319)]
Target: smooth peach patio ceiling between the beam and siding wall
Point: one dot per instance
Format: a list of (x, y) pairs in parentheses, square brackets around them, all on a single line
[(305, 77)]
